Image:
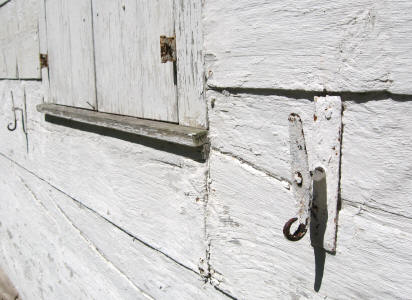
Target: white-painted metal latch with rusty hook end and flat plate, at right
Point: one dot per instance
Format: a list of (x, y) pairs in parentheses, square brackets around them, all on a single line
[(317, 191)]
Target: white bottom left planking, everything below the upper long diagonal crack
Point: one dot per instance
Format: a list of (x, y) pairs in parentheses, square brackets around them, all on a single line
[(76, 239)]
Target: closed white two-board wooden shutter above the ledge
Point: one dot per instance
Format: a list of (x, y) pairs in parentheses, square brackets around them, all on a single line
[(105, 55)]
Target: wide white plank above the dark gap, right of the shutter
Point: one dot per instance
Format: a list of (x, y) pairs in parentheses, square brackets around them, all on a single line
[(309, 45)]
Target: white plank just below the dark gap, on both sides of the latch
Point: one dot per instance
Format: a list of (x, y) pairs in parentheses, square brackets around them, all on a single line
[(376, 142)]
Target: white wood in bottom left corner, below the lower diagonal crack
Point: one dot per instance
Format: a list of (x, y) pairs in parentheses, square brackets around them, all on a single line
[(46, 256)]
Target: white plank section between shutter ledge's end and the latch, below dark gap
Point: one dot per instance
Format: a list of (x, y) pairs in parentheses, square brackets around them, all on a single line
[(255, 128)]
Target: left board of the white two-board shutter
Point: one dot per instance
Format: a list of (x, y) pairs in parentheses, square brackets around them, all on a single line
[(70, 53)]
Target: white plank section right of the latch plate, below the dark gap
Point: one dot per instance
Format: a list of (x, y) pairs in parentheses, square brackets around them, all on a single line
[(376, 154)]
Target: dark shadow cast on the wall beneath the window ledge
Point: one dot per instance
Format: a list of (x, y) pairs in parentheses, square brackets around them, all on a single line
[(194, 153)]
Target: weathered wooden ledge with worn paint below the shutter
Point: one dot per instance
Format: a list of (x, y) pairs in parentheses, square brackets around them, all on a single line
[(184, 135)]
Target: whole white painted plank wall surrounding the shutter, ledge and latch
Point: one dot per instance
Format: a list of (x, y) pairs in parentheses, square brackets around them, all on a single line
[(90, 216)]
